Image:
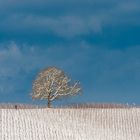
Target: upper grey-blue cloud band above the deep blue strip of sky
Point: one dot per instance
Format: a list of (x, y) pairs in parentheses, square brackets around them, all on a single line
[(65, 18)]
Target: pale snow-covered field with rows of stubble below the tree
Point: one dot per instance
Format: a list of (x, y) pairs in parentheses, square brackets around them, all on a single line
[(70, 124)]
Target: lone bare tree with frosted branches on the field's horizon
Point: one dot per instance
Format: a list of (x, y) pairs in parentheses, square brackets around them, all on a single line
[(52, 83)]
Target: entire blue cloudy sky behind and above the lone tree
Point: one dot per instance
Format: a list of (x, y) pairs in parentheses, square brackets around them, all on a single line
[(94, 41)]
